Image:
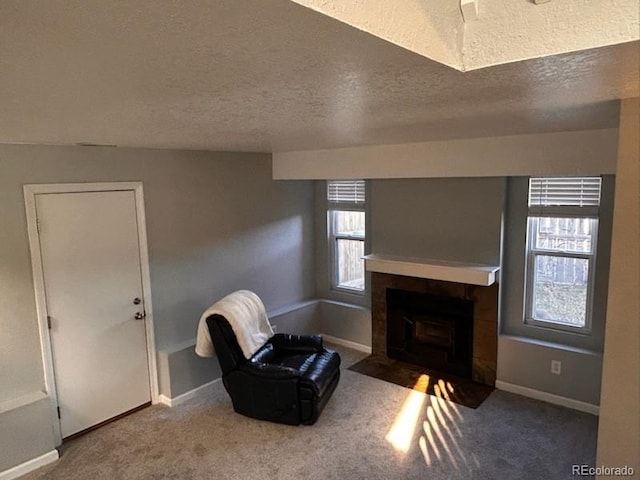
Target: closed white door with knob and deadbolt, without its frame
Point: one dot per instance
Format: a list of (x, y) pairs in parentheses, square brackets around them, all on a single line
[(90, 255)]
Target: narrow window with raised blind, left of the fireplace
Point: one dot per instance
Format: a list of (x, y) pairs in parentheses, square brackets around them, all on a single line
[(346, 220)]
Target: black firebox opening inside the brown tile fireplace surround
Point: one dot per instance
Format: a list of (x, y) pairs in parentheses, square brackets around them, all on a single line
[(432, 331)]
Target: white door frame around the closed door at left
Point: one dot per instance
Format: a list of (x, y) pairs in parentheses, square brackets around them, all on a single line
[(30, 192)]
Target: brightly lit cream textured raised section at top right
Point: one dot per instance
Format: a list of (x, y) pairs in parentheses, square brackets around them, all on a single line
[(503, 31)]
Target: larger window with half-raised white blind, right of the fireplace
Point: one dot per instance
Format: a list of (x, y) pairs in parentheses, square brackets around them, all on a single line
[(561, 251)]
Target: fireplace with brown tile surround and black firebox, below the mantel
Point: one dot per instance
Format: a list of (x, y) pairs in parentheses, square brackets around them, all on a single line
[(456, 332)]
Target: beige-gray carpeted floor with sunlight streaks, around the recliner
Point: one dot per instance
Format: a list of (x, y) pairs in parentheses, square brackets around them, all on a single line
[(370, 430)]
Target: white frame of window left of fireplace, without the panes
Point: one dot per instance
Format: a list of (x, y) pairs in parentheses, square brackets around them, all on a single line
[(333, 237)]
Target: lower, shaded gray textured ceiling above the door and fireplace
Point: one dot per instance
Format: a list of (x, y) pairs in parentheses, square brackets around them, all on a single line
[(258, 75)]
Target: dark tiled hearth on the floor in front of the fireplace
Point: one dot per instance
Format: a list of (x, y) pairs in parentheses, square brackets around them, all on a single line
[(459, 390)]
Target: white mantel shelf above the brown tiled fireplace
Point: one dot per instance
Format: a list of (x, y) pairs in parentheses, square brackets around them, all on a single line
[(468, 273)]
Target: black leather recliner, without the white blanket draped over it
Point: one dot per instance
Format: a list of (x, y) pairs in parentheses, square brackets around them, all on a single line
[(288, 380)]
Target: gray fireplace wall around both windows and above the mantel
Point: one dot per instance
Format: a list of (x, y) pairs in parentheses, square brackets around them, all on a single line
[(461, 219)]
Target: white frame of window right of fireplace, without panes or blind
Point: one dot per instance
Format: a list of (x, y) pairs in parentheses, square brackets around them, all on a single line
[(532, 252)]
